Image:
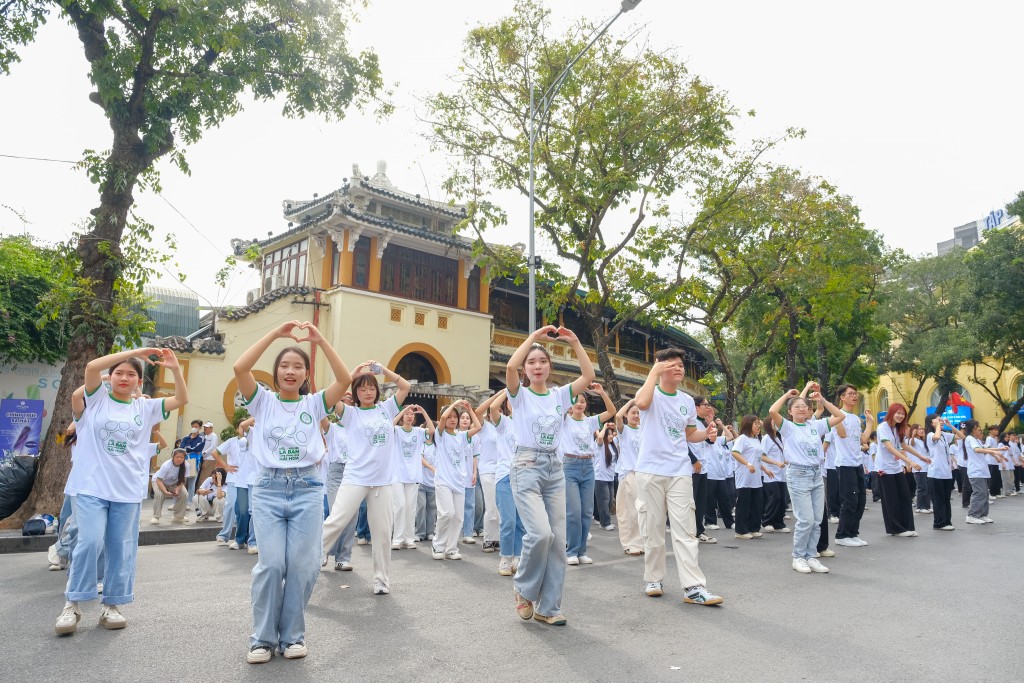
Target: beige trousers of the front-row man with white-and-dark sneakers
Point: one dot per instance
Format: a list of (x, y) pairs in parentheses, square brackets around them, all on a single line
[(659, 496)]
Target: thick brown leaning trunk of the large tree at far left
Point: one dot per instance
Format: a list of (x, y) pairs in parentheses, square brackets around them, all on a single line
[(100, 254)]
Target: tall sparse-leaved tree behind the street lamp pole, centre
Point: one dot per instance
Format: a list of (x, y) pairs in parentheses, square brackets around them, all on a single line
[(631, 135)]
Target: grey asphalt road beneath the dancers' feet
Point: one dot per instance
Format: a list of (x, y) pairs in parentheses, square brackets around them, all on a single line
[(942, 607)]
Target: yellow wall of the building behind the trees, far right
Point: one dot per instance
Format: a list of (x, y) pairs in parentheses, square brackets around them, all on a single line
[(901, 389)]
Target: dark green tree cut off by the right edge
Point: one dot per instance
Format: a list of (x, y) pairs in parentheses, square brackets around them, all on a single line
[(996, 303)]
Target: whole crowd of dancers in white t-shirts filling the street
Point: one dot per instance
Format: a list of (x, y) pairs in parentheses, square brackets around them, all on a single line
[(307, 466)]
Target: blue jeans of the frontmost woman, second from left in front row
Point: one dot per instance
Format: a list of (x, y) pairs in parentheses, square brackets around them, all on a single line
[(288, 513)]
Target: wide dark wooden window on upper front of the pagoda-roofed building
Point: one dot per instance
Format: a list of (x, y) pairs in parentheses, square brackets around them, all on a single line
[(414, 275)]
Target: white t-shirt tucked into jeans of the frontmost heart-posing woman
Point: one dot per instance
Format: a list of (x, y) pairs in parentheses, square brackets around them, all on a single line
[(287, 433)]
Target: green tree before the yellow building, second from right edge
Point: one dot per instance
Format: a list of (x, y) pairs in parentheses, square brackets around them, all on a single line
[(924, 307)]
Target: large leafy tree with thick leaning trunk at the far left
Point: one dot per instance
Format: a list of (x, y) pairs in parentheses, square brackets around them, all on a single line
[(163, 73)]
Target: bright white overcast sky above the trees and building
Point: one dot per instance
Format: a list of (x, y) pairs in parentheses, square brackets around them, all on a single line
[(914, 109)]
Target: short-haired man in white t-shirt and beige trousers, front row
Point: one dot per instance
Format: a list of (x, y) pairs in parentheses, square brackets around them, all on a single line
[(664, 473)]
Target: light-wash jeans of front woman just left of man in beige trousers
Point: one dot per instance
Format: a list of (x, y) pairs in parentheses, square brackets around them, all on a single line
[(539, 489)]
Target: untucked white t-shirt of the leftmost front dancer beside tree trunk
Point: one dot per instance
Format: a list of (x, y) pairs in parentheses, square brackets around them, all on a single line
[(112, 456)]
